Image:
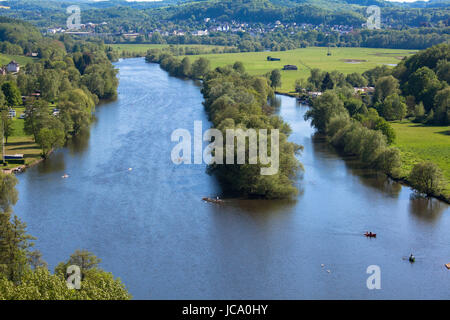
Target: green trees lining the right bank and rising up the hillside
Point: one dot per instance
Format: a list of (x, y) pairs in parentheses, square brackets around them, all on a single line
[(356, 124)]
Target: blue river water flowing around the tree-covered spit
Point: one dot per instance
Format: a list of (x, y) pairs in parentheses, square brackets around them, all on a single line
[(151, 229)]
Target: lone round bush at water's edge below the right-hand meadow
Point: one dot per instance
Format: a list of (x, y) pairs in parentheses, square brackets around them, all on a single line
[(426, 177)]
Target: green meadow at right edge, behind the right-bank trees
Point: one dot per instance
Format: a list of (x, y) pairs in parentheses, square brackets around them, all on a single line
[(419, 143)]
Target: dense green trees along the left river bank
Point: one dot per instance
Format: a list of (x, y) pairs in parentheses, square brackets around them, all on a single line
[(71, 81)]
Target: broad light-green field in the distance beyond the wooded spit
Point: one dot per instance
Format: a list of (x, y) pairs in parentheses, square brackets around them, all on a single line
[(346, 60)]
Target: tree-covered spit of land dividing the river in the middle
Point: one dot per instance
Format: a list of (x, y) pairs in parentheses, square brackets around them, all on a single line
[(236, 100)]
